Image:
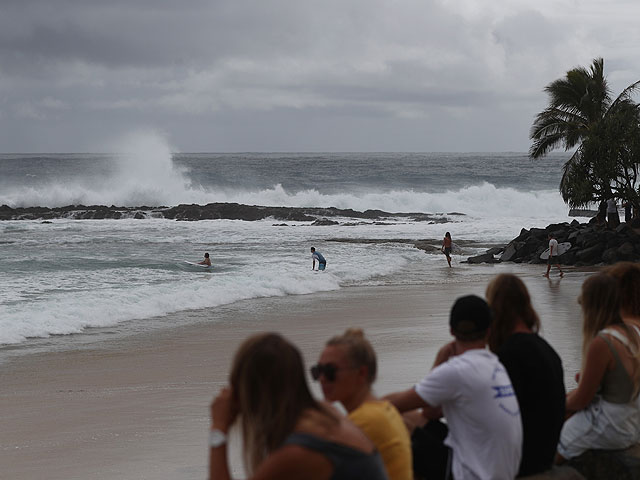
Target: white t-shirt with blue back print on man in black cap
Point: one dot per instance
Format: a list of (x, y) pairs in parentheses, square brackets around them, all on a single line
[(482, 412)]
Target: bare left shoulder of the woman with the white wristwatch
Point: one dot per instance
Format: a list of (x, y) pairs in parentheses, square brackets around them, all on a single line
[(294, 462)]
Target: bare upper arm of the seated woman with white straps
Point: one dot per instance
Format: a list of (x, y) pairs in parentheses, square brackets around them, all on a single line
[(599, 359)]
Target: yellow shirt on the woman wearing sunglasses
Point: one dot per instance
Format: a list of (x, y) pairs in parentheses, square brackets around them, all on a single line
[(382, 423)]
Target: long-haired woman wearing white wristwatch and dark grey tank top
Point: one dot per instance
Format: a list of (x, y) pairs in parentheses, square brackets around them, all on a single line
[(286, 432)]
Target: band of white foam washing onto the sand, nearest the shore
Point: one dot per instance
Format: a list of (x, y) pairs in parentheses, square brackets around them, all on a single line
[(63, 311)]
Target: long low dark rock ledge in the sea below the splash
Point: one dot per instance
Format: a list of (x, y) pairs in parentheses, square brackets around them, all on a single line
[(211, 211)]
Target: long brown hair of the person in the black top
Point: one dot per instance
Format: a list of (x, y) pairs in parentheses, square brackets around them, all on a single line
[(509, 300)]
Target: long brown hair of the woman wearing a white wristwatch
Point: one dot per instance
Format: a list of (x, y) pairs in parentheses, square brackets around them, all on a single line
[(270, 388)]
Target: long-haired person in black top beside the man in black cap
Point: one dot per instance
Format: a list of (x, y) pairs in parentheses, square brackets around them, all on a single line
[(534, 367)]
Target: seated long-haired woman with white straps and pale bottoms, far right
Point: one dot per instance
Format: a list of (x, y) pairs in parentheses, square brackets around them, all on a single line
[(605, 404)]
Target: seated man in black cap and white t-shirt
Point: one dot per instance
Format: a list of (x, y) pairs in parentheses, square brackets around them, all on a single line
[(471, 388)]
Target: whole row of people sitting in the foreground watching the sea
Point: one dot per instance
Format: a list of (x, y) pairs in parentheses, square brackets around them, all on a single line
[(492, 406)]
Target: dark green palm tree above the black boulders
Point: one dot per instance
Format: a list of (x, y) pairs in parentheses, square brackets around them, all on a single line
[(604, 133)]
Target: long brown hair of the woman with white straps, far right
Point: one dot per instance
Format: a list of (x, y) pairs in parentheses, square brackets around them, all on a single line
[(600, 300)]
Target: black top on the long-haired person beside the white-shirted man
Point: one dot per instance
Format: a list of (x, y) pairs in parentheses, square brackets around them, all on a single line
[(535, 370)]
